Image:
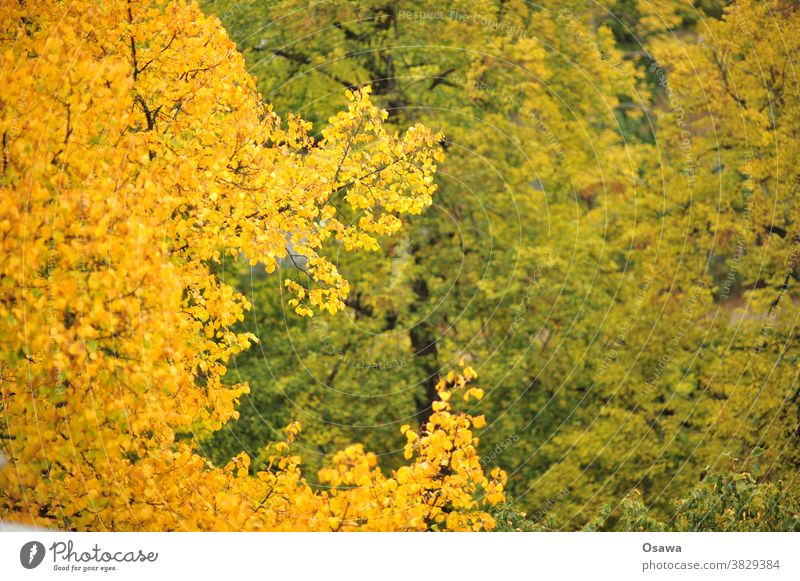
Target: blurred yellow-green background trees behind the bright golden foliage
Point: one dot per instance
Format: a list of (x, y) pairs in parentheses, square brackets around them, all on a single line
[(594, 227)]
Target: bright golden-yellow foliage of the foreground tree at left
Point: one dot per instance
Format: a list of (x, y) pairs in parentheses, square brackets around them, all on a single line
[(136, 153)]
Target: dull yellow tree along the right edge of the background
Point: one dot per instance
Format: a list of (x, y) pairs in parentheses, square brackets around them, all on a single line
[(736, 76)]
